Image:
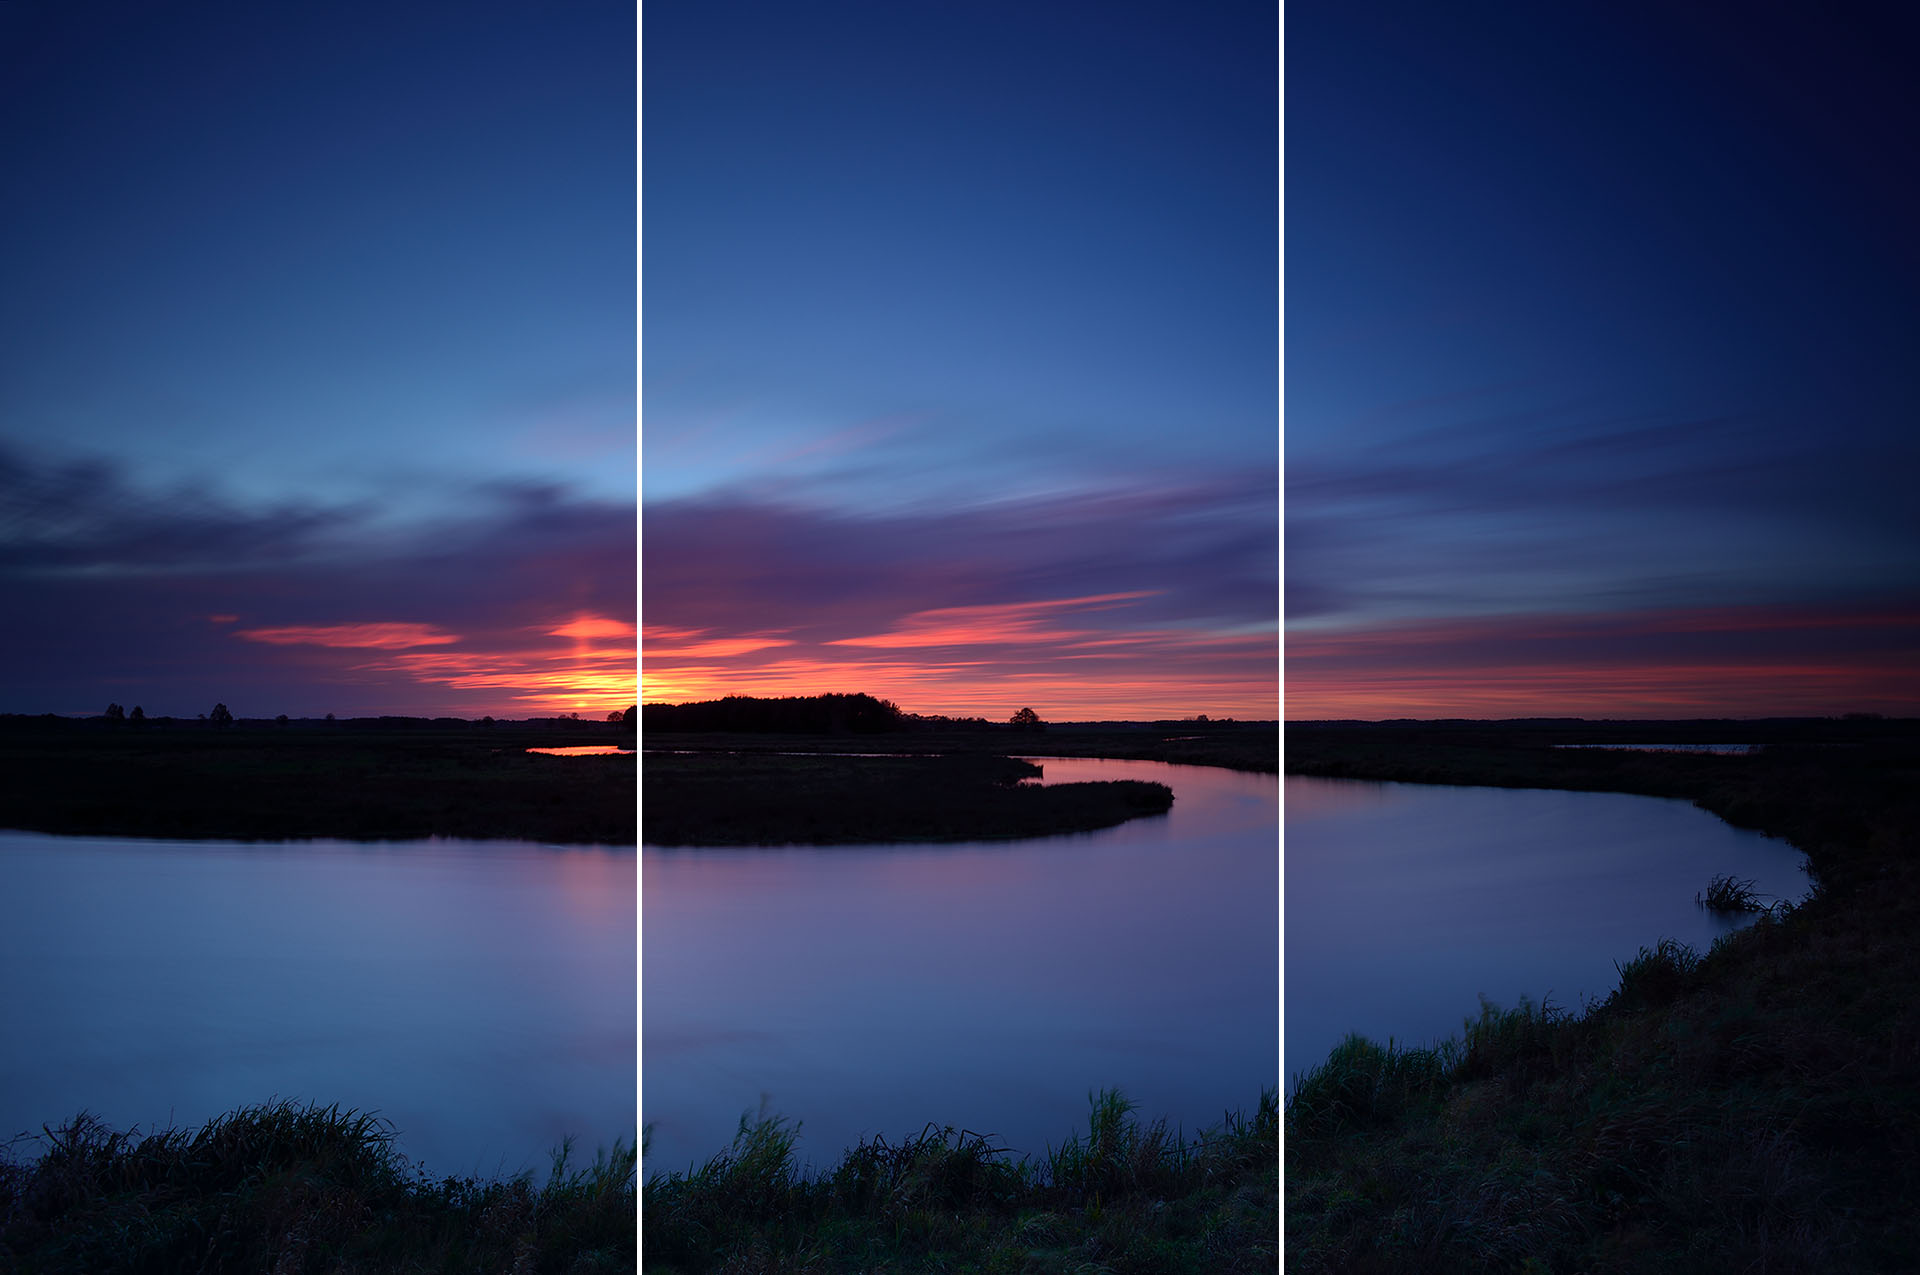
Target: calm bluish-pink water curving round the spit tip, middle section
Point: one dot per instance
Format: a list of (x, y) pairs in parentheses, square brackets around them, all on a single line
[(988, 986)]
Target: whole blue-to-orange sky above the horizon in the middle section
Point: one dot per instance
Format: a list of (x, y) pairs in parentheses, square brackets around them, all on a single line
[(961, 356)]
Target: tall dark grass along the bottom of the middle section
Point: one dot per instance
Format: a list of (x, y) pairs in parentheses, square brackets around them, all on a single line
[(1122, 1199)]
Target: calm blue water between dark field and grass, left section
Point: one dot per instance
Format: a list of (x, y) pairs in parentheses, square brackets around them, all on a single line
[(481, 996)]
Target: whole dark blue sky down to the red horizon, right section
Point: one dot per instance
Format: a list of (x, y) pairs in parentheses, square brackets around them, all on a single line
[(1600, 345)]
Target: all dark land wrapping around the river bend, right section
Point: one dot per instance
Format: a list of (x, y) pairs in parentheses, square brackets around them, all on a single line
[(1742, 1109)]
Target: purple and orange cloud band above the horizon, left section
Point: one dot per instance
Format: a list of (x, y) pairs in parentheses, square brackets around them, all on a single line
[(174, 600)]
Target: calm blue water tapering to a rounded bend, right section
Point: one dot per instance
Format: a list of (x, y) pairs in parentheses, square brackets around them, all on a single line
[(1410, 902)]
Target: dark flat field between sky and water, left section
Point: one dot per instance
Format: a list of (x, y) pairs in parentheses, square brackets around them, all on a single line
[(362, 781)]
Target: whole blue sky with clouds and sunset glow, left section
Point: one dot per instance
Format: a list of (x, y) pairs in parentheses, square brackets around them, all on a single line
[(318, 358)]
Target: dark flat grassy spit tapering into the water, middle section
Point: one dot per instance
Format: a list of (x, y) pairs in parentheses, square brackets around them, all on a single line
[(821, 800)]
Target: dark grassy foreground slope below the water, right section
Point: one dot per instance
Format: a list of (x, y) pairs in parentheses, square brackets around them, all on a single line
[(1744, 1111)]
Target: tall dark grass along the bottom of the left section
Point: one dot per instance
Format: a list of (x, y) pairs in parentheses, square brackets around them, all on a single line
[(300, 1190)]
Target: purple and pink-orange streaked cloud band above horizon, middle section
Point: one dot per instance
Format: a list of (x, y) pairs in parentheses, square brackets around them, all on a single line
[(1126, 602)]
